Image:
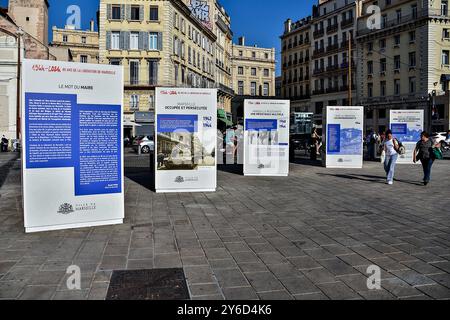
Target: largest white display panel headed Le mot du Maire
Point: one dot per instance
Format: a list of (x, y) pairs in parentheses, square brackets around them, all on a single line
[(72, 145)]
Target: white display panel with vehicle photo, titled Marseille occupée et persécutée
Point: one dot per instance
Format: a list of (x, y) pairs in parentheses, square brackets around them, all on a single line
[(186, 140)]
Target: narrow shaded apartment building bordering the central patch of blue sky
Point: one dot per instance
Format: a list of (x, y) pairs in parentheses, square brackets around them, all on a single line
[(296, 68)]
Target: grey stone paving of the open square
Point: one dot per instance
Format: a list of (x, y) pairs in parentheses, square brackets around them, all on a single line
[(309, 236)]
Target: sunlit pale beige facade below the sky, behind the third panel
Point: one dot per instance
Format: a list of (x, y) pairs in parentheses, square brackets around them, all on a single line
[(253, 70)]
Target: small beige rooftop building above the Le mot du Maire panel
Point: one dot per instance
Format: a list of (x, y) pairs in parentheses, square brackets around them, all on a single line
[(73, 45)]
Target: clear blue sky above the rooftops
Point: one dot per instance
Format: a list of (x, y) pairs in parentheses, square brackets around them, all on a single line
[(260, 21)]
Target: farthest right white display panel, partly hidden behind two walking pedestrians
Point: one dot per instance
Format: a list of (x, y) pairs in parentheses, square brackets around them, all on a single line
[(407, 126)]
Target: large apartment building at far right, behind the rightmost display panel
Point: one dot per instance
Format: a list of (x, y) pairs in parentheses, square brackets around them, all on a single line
[(404, 60)]
